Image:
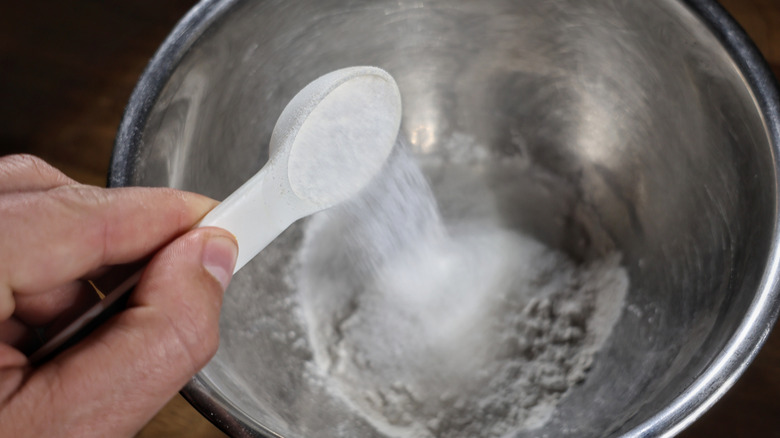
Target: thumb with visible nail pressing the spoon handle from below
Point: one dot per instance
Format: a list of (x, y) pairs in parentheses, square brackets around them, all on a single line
[(143, 356)]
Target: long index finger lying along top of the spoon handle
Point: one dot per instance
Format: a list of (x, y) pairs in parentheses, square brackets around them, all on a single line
[(56, 236)]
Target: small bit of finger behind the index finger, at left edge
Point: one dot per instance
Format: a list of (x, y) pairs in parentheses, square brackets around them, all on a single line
[(20, 173)]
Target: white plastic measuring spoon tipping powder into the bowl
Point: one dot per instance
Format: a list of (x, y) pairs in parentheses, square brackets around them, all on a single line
[(329, 142)]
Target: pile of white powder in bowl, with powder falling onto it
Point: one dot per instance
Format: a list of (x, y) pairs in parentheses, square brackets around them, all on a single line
[(456, 326)]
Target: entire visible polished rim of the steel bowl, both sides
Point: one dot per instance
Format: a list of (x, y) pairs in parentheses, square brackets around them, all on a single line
[(697, 398)]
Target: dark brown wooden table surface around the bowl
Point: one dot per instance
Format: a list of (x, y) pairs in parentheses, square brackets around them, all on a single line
[(66, 73)]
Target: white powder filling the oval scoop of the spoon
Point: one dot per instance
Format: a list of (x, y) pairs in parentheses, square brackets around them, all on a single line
[(359, 119)]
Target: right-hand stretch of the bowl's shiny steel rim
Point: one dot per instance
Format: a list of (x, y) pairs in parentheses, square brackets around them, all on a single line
[(743, 346)]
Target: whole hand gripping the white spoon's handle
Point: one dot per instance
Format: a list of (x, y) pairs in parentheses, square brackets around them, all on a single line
[(54, 233)]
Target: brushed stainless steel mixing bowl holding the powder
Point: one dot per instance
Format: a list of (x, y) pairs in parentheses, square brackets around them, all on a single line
[(660, 115)]
